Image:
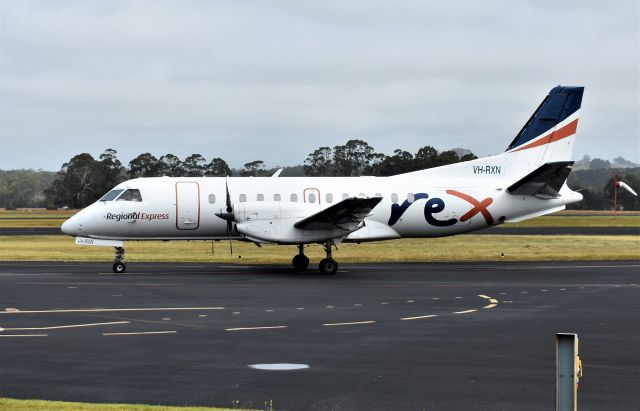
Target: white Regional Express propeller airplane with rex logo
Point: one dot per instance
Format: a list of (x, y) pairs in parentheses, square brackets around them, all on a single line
[(527, 180)]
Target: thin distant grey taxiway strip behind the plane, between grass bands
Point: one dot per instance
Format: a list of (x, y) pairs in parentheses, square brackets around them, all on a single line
[(500, 230)]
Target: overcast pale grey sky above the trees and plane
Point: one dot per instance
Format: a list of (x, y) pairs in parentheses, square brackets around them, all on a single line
[(274, 80)]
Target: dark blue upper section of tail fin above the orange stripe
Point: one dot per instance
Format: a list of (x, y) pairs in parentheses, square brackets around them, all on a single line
[(557, 106)]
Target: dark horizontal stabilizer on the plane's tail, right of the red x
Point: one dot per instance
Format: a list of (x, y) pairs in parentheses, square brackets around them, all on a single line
[(546, 181)]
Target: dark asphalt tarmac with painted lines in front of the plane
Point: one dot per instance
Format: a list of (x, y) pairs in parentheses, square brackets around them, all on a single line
[(395, 336)]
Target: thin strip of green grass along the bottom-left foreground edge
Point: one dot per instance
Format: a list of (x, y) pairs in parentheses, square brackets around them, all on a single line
[(8, 404)]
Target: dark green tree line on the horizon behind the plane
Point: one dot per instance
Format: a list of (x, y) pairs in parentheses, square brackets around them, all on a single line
[(84, 179)]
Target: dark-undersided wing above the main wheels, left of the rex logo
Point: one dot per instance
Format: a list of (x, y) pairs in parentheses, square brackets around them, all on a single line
[(346, 215)]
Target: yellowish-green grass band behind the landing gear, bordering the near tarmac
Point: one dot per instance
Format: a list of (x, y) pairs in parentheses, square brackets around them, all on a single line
[(457, 248)]
